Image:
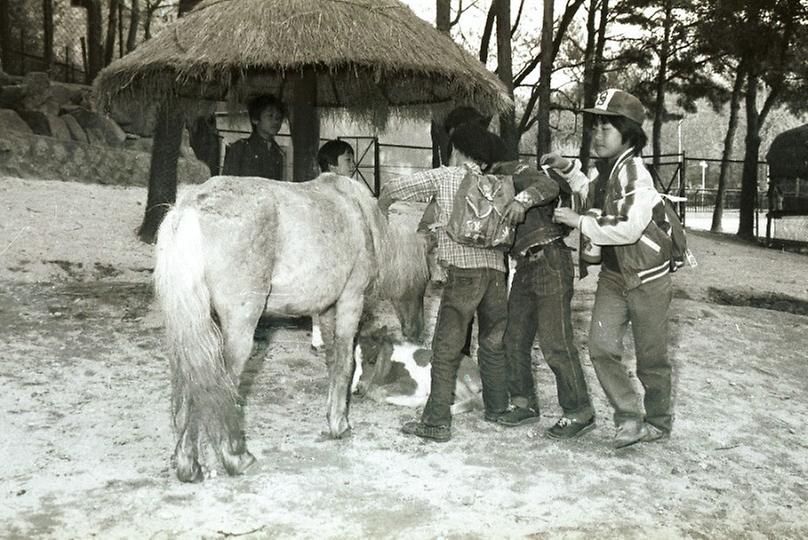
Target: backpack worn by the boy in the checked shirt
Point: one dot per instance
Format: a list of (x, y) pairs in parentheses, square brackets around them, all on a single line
[(477, 213)]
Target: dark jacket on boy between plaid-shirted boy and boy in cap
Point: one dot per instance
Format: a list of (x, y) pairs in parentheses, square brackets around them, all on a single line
[(538, 227)]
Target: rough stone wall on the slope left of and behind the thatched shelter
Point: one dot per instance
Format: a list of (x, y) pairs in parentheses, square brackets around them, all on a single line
[(50, 130)]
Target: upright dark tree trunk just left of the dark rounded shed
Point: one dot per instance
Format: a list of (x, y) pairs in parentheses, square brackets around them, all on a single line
[(749, 180)]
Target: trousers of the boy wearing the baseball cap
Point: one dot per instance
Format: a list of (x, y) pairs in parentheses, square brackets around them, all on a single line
[(646, 308)]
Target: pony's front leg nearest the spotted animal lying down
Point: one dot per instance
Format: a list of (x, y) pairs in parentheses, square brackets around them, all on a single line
[(340, 364)]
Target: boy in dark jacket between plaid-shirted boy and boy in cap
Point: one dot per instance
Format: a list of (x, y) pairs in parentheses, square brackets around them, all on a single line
[(540, 302)]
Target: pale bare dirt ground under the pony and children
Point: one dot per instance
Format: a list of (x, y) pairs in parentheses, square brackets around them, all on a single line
[(86, 437)]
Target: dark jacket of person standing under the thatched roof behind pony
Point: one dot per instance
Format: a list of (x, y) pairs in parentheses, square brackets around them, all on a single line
[(252, 156)]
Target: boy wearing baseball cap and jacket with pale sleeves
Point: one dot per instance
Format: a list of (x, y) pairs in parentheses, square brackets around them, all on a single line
[(634, 284)]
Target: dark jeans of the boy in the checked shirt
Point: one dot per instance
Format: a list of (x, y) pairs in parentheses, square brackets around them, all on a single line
[(469, 290)]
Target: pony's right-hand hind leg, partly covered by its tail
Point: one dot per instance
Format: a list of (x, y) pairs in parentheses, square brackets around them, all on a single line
[(238, 323)]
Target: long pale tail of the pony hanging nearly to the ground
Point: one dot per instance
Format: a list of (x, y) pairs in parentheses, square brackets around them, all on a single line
[(203, 392)]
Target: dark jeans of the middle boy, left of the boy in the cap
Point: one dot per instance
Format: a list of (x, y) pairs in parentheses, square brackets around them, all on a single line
[(539, 302)]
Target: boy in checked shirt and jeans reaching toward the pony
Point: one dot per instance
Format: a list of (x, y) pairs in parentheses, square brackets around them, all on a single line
[(476, 282)]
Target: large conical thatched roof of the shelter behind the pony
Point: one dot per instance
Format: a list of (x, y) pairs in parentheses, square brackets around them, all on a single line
[(368, 55)]
